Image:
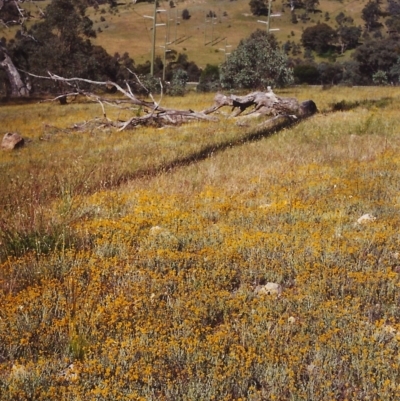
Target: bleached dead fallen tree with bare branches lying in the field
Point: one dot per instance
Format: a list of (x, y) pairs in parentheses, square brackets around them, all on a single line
[(151, 113)]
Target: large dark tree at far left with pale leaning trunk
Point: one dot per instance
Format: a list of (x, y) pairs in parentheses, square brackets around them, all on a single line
[(59, 43)]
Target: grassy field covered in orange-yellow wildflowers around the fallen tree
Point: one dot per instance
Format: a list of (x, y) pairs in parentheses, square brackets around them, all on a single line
[(122, 278)]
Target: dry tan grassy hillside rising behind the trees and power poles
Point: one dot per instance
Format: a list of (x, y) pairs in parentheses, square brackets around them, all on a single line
[(128, 30)]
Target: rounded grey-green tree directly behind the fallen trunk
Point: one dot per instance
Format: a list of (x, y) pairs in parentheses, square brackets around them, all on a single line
[(257, 62)]
